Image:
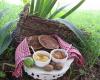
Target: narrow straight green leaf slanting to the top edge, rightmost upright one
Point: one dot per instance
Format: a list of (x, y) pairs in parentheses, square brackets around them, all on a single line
[(72, 10)]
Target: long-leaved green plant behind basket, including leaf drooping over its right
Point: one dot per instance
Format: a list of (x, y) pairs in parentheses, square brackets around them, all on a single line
[(45, 9)]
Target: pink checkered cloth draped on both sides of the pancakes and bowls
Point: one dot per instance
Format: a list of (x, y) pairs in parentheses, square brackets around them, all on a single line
[(23, 50)]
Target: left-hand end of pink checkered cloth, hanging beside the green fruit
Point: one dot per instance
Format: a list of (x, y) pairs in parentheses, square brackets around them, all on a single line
[(21, 52)]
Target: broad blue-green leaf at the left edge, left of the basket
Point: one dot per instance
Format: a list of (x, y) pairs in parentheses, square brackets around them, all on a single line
[(5, 34)]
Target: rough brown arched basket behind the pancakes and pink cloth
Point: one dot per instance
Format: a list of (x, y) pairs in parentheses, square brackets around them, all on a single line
[(32, 25)]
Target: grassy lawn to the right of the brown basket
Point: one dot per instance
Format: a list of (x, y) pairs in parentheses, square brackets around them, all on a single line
[(89, 21)]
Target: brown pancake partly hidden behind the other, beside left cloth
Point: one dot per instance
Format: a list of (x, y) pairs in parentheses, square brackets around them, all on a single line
[(34, 42)]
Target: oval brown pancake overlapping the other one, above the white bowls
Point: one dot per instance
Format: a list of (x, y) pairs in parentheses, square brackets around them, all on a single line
[(48, 42)]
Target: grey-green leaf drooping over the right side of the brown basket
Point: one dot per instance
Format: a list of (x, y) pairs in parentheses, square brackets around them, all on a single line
[(77, 31)]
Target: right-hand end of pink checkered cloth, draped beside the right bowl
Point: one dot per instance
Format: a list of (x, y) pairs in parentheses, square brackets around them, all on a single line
[(72, 51)]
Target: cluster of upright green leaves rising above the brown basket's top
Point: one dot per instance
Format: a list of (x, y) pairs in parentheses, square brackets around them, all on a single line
[(43, 8)]
